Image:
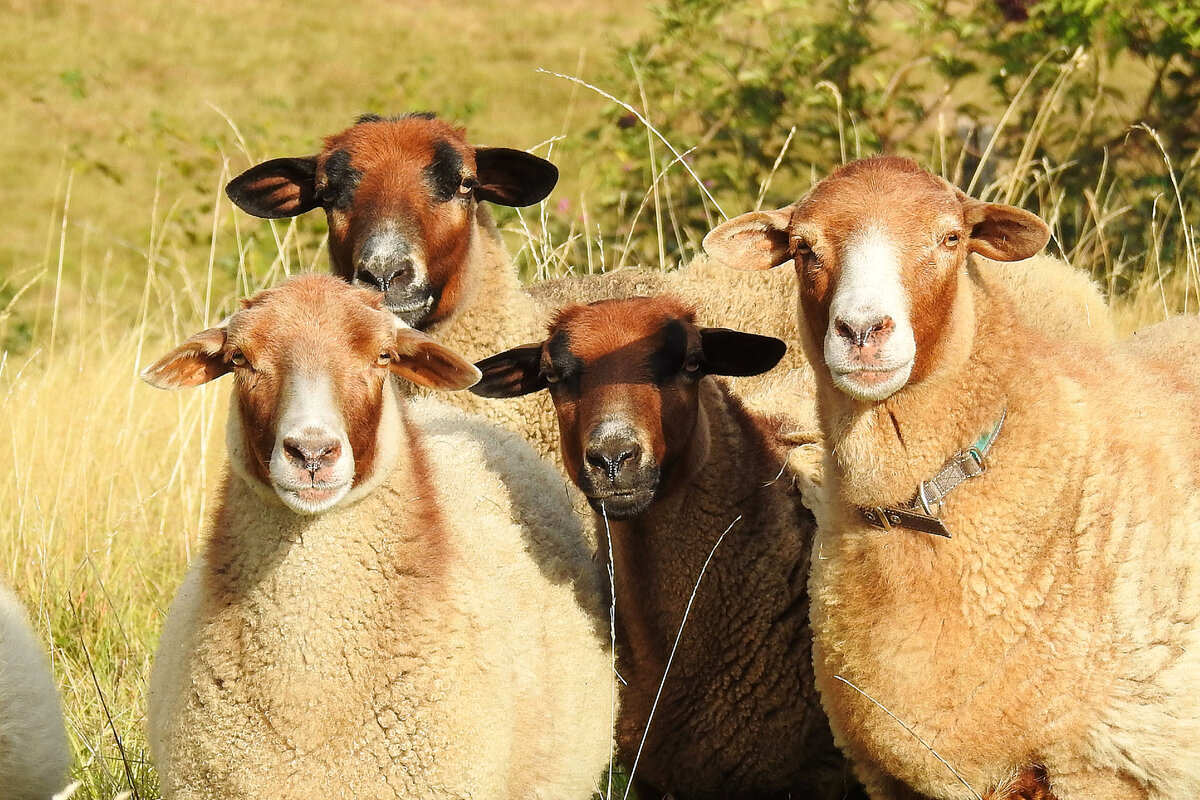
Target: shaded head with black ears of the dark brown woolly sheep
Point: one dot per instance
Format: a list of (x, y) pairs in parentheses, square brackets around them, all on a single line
[(625, 376)]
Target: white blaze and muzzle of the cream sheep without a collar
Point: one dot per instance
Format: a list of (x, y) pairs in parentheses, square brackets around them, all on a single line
[(309, 411)]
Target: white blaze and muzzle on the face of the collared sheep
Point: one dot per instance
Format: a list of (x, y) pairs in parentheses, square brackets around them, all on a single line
[(868, 294)]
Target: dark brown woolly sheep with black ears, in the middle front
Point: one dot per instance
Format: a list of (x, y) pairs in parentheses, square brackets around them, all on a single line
[(671, 460)]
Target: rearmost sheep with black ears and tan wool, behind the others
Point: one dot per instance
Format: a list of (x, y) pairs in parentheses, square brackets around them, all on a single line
[(404, 199)]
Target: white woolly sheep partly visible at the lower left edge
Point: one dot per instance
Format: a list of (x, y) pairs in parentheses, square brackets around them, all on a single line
[(34, 751)]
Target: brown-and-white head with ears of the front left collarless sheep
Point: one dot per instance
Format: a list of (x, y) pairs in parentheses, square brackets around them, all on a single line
[(311, 407)]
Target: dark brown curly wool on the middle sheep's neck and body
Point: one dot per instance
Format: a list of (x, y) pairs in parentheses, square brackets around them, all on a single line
[(739, 717)]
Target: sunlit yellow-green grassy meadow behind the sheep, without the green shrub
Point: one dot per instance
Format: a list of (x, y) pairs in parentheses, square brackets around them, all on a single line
[(122, 124)]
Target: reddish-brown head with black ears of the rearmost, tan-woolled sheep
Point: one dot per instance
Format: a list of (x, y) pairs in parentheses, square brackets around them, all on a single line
[(400, 196)]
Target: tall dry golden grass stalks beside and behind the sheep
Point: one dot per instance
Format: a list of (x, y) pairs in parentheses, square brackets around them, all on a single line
[(107, 483)]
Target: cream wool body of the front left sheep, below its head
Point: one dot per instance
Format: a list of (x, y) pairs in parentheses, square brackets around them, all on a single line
[(460, 652)]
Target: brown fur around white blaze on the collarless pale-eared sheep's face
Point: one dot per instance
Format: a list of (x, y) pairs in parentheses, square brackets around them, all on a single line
[(315, 326)]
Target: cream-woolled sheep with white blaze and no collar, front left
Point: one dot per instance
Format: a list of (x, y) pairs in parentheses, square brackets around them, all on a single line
[(394, 599)]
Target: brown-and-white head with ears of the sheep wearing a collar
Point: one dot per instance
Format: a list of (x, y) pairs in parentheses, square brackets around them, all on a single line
[(879, 248)]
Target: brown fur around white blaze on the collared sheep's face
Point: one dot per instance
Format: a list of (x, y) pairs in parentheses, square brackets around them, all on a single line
[(917, 212)]
